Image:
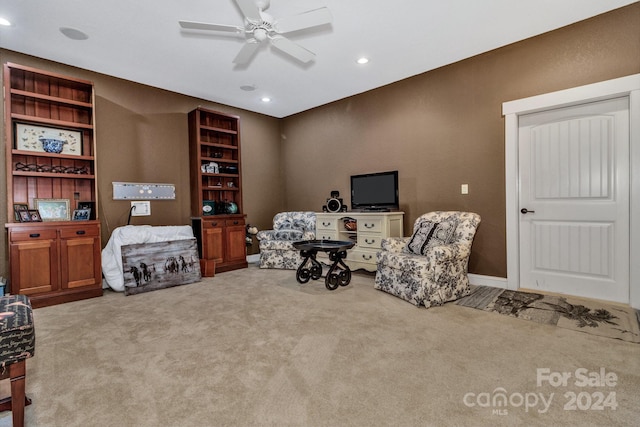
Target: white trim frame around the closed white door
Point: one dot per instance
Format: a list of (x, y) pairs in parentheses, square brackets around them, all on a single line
[(624, 86)]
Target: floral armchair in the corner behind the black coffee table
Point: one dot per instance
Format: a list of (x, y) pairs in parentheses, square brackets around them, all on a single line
[(276, 246)]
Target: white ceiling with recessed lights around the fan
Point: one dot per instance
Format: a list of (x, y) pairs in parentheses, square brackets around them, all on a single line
[(141, 41)]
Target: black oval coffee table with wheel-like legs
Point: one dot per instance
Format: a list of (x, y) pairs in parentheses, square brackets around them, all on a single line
[(339, 273)]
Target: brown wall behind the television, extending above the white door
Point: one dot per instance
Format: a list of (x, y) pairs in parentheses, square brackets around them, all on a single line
[(444, 128)]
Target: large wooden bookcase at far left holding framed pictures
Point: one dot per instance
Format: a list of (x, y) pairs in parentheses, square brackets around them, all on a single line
[(52, 261)]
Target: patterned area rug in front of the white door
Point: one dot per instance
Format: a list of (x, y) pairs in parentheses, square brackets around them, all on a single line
[(578, 314)]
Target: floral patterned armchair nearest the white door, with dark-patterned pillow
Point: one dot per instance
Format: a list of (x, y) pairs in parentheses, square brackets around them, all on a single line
[(430, 267)]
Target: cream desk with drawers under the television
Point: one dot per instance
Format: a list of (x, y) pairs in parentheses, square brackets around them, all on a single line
[(372, 228)]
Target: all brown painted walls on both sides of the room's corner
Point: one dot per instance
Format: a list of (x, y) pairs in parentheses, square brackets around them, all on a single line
[(439, 129)]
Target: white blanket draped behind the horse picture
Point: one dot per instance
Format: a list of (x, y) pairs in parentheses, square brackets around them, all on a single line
[(132, 234)]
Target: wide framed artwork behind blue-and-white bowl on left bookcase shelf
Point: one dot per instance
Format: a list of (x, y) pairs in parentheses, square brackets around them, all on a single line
[(44, 139)]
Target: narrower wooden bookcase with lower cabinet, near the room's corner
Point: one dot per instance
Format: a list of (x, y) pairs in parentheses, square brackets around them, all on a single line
[(216, 190)]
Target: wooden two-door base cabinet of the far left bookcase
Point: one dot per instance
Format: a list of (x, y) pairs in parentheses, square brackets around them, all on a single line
[(55, 262)]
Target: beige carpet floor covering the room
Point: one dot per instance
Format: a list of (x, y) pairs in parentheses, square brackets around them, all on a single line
[(254, 348)]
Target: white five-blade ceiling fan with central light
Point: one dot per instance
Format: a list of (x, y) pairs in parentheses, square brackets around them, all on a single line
[(260, 26)]
